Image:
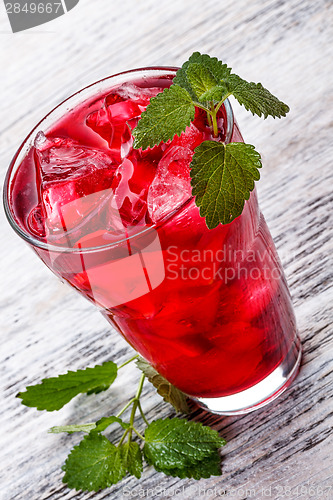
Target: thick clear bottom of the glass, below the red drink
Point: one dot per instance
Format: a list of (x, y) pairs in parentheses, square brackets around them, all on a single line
[(260, 394)]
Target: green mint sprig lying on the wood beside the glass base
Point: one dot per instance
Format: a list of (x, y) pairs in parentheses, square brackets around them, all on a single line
[(175, 447)]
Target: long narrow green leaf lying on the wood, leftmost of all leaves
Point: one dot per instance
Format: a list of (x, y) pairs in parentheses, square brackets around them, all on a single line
[(53, 393)]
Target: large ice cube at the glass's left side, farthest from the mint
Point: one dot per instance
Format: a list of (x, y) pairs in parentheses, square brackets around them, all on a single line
[(74, 181)]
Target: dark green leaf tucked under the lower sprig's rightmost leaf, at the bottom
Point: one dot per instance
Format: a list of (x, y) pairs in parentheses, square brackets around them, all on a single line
[(210, 466)]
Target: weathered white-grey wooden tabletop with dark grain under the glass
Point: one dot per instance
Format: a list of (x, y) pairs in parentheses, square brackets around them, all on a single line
[(48, 329)]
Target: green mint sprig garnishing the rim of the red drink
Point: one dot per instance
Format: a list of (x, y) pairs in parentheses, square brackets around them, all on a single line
[(206, 82)]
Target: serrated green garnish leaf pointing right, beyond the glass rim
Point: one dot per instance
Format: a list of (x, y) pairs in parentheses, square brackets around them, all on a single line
[(256, 98)]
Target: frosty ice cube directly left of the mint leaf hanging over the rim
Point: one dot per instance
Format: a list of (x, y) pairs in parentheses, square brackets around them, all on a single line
[(171, 186)]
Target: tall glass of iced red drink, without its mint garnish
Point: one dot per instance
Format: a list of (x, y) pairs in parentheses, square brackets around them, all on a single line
[(209, 309)]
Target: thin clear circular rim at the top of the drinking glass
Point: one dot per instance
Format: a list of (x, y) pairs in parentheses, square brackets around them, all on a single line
[(16, 161)]
